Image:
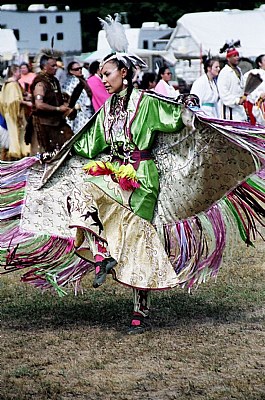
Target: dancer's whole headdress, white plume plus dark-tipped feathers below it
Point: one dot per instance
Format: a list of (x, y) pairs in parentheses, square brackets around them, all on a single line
[(116, 37)]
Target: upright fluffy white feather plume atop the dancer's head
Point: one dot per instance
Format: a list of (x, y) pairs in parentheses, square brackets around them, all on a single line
[(115, 33)]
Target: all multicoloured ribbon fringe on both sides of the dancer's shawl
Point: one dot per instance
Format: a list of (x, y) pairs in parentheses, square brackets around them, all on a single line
[(195, 245)]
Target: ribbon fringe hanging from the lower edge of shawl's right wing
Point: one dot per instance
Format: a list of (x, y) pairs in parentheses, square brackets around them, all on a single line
[(238, 211)]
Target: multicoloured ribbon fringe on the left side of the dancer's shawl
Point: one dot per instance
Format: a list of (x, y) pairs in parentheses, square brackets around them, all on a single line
[(53, 258)]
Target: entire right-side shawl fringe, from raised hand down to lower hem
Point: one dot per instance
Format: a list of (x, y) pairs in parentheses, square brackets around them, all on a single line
[(240, 211)]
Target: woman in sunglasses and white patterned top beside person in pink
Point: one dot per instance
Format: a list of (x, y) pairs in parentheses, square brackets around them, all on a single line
[(79, 96)]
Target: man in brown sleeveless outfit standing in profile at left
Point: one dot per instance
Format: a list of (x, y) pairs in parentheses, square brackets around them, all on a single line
[(49, 130)]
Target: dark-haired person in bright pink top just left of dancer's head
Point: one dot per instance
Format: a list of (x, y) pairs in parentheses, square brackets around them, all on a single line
[(99, 92)]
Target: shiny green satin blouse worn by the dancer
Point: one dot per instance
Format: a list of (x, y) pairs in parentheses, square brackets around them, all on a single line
[(146, 116)]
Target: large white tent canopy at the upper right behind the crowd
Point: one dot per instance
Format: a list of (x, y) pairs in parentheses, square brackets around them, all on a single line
[(204, 33)]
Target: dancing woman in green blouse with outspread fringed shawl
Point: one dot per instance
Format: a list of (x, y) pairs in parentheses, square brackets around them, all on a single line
[(154, 205)]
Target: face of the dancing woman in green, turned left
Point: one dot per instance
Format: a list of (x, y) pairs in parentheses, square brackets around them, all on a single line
[(112, 77)]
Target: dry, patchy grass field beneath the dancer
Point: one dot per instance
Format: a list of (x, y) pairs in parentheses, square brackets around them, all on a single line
[(207, 345)]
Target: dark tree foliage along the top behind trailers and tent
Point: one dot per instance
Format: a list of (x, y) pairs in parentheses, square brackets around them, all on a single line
[(137, 12)]
